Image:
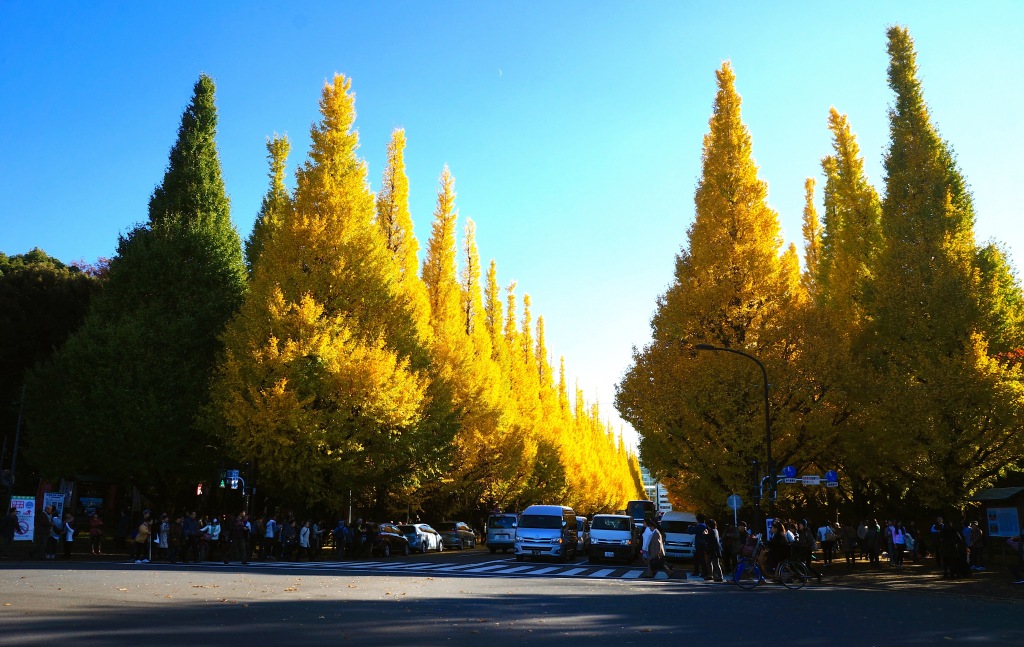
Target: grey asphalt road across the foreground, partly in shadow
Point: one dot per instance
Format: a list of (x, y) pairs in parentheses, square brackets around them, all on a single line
[(470, 598)]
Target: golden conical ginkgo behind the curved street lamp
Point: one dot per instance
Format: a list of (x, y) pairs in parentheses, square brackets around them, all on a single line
[(702, 418)]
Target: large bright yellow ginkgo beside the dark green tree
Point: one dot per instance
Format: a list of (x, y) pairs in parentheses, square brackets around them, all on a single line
[(320, 381)]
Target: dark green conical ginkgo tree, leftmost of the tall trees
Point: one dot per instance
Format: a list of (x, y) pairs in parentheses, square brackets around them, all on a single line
[(122, 399)]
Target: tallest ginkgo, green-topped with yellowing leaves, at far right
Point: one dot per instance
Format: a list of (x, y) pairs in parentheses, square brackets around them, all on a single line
[(948, 423)]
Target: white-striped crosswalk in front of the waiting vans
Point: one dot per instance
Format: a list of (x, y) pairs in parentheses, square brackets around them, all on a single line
[(504, 568)]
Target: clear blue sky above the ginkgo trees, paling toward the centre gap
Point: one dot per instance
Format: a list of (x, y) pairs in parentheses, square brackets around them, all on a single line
[(574, 130)]
